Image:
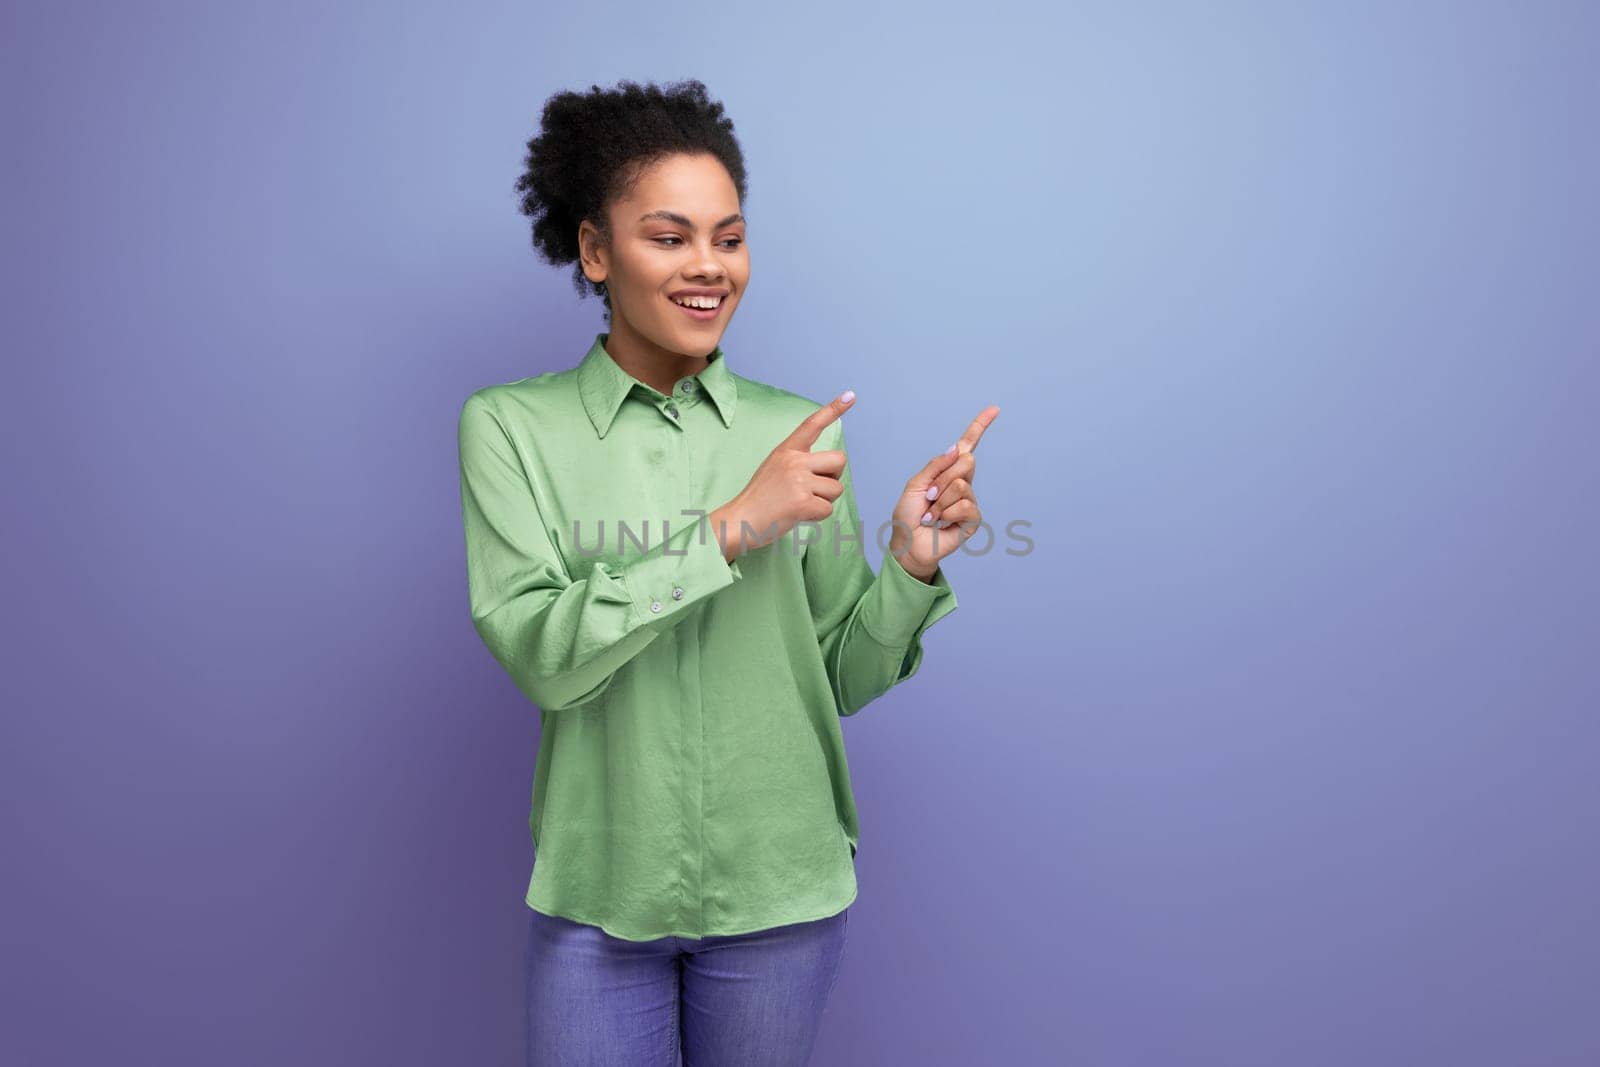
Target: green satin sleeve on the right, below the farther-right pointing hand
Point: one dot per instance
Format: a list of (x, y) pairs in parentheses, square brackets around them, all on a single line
[(870, 628)]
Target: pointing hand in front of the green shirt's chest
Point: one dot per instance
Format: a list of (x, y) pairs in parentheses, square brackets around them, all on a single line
[(793, 486)]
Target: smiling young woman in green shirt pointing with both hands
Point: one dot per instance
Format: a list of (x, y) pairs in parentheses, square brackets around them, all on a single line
[(666, 557)]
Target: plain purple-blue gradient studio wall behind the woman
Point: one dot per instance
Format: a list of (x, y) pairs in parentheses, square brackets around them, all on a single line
[(1281, 748)]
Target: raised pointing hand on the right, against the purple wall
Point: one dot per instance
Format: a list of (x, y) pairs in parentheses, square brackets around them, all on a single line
[(943, 492)]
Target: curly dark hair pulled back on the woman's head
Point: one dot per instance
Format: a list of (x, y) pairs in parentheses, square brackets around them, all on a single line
[(593, 148)]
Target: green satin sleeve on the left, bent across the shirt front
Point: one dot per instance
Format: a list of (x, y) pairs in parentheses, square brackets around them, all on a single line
[(564, 641)]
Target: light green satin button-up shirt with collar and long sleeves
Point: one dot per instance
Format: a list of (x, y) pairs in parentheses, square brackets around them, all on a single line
[(692, 775)]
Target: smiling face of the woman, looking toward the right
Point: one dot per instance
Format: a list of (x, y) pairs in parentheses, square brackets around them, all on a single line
[(676, 238)]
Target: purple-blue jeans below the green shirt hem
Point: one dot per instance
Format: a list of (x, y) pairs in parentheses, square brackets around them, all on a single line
[(753, 1001)]
